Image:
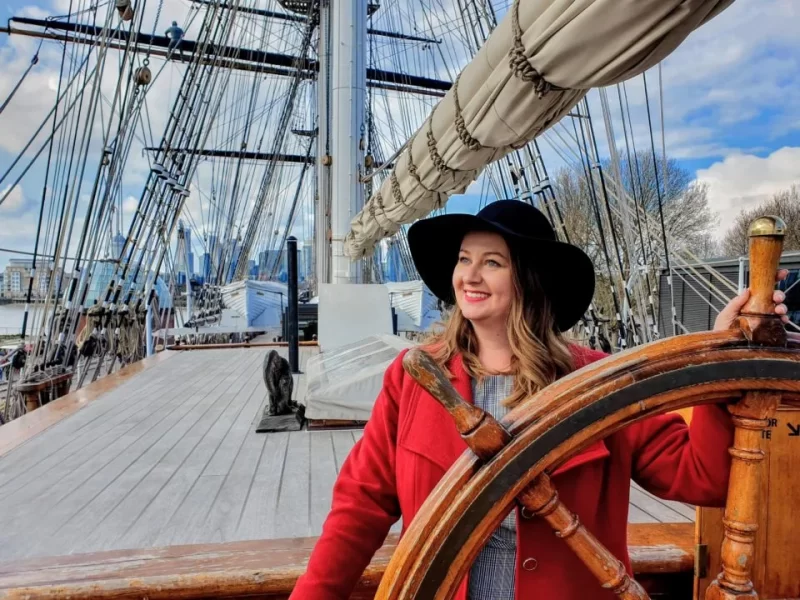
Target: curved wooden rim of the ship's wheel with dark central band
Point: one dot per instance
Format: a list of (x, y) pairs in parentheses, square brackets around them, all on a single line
[(472, 499)]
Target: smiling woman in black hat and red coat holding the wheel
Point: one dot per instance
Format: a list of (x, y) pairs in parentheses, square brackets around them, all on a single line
[(515, 289)]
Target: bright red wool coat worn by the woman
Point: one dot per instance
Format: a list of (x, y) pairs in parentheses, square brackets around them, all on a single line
[(410, 441)]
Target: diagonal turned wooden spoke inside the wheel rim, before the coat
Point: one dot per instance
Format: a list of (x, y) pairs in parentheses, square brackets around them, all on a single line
[(541, 498)]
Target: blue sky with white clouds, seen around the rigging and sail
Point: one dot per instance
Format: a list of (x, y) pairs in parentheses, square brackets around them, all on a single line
[(730, 98)]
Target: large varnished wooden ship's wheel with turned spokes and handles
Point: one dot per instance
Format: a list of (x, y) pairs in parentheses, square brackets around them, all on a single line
[(753, 366)]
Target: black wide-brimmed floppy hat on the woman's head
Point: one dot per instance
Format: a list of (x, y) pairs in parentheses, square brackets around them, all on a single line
[(565, 271)]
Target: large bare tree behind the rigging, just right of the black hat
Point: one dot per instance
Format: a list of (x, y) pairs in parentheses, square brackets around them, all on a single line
[(582, 201)]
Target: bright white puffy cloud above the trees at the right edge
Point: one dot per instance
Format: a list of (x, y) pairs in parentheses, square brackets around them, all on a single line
[(742, 181)]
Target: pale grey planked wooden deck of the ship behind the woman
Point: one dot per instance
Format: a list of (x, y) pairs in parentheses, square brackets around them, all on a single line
[(170, 456)]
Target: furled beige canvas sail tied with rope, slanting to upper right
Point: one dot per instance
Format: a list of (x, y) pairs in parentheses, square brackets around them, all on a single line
[(536, 65)]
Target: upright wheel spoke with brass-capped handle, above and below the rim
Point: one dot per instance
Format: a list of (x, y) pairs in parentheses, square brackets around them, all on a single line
[(750, 417)]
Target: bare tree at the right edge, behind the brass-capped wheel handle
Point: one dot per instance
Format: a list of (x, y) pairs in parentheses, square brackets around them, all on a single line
[(784, 204)]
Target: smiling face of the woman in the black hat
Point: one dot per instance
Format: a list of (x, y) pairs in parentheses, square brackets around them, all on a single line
[(483, 279)]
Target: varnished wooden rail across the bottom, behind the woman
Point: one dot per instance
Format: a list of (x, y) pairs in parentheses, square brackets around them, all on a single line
[(661, 555)]
